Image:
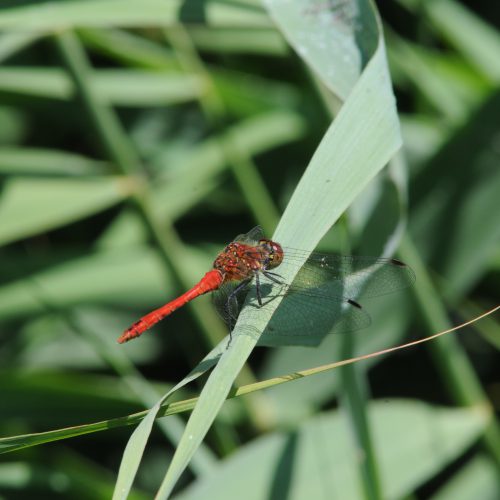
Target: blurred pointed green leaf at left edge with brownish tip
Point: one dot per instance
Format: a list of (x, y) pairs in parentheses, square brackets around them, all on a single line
[(30, 206)]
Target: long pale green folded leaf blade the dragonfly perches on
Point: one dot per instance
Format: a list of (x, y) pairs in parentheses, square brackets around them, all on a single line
[(338, 172)]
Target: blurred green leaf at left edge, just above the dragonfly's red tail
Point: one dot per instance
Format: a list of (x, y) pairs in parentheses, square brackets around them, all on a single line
[(125, 277)]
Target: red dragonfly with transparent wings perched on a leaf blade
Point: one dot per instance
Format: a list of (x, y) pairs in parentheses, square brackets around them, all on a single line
[(323, 297)]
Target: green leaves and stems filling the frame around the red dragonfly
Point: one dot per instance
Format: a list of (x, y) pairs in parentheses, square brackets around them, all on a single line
[(137, 138)]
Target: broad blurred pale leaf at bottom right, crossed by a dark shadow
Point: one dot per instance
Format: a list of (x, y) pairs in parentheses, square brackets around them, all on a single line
[(414, 441)]
